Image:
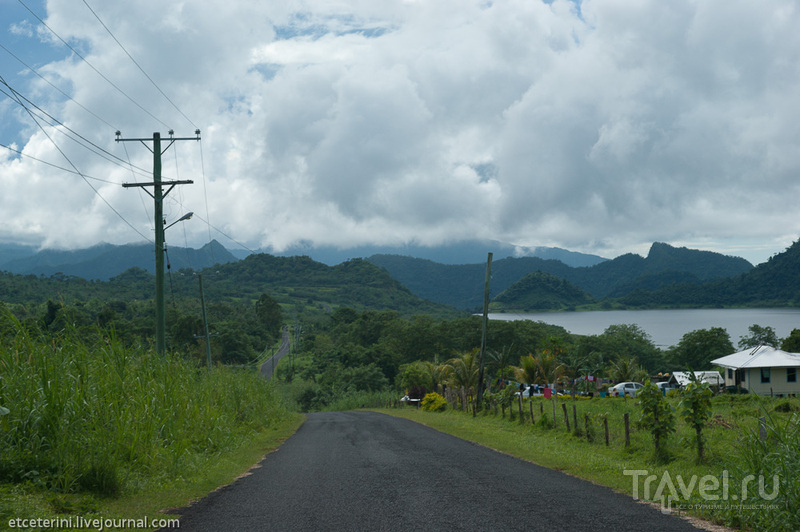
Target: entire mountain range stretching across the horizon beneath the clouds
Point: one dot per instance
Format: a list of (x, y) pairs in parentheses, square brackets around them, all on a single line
[(668, 277)]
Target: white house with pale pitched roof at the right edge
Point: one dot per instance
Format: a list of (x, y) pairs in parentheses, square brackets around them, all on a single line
[(763, 370)]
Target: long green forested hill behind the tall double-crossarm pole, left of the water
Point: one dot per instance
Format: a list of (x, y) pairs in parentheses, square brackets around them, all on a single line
[(298, 282)]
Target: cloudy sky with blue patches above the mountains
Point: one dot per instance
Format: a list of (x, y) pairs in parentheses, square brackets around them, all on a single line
[(598, 126)]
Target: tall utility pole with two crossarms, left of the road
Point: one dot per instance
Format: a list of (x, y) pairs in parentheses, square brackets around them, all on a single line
[(158, 196)]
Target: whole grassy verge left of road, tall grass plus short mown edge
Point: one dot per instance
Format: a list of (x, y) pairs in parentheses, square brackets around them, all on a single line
[(105, 431)]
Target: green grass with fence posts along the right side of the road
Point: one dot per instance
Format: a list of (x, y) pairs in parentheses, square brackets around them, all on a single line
[(720, 489)]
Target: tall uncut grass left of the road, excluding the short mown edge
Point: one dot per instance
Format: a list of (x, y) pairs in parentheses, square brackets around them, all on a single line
[(104, 418)]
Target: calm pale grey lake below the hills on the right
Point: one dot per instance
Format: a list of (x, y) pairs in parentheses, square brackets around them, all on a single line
[(667, 327)]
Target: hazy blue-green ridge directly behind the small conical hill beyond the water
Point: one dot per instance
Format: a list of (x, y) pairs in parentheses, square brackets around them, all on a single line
[(462, 286)]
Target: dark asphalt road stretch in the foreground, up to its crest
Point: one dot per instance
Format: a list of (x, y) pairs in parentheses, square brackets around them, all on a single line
[(364, 471)]
